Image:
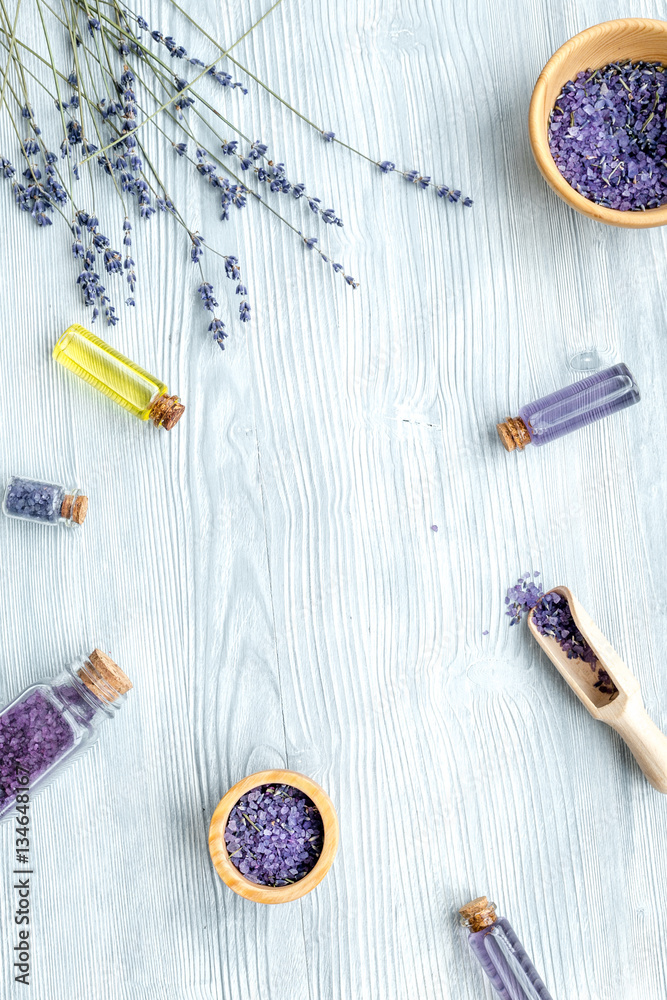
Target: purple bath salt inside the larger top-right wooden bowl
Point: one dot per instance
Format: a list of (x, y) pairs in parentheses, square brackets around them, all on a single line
[(608, 135)]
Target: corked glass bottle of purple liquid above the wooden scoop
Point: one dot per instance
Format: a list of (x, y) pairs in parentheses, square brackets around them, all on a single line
[(570, 408)]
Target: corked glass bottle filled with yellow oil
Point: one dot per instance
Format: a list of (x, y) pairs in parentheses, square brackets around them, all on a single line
[(117, 377)]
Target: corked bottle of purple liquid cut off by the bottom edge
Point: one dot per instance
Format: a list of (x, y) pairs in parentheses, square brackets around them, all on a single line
[(501, 954)]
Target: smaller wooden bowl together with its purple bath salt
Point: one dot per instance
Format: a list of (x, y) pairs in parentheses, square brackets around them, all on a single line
[(274, 836)]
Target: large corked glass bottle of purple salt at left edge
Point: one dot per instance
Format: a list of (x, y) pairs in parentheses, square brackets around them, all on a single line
[(51, 721)]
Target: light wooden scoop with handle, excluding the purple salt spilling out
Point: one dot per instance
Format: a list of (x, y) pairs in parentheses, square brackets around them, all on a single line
[(623, 709)]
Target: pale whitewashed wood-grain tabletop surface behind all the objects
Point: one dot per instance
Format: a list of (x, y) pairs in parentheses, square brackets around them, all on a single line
[(266, 572)]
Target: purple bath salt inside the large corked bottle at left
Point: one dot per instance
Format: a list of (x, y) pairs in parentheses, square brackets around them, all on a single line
[(33, 735)]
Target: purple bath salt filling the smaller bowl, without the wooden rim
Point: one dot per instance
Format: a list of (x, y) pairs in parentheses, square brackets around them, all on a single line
[(274, 835)]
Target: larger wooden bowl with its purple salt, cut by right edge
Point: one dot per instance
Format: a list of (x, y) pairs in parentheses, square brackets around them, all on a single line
[(597, 122)]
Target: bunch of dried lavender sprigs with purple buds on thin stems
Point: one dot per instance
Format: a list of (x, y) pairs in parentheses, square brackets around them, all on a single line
[(127, 76)]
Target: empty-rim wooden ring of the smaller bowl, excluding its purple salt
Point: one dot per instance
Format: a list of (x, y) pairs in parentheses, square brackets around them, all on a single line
[(267, 893)]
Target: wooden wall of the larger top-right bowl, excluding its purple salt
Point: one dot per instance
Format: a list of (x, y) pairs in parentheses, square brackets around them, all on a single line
[(627, 38)]
